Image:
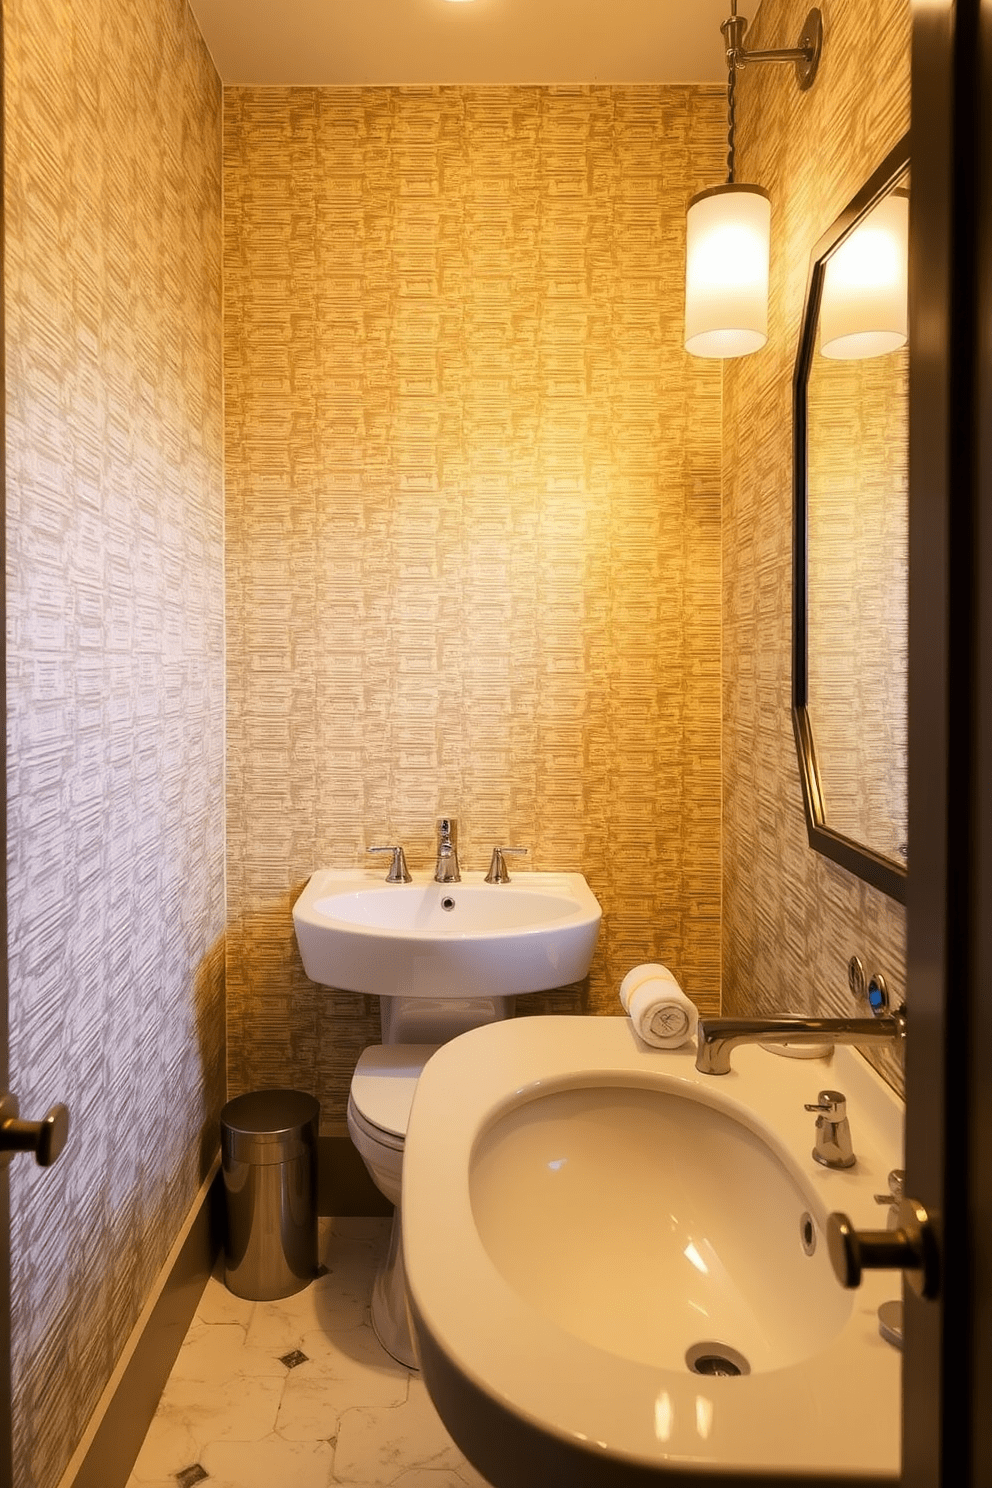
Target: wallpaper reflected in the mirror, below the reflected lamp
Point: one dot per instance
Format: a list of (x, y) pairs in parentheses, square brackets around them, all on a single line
[(859, 591)]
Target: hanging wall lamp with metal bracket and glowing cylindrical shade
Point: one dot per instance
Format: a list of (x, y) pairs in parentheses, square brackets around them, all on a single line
[(728, 227)]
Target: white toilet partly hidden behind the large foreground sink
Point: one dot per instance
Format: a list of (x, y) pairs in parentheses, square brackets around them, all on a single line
[(379, 1111)]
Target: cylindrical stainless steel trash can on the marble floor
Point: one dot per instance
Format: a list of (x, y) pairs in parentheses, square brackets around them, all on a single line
[(268, 1151)]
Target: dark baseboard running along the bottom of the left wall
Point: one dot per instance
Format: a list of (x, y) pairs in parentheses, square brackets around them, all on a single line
[(124, 1413)]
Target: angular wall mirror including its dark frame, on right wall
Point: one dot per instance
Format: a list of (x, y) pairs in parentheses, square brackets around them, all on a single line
[(851, 535)]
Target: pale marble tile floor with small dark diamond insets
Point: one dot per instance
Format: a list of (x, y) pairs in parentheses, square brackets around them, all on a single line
[(298, 1394)]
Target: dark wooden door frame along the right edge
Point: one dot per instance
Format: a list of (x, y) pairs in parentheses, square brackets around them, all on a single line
[(950, 941)]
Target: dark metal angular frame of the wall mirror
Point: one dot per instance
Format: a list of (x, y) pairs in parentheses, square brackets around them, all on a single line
[(859, 859)]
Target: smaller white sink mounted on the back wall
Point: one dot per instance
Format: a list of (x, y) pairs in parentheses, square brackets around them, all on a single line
[(428, 940)]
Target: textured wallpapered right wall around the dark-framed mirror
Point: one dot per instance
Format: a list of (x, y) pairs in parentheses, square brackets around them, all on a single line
[(792, 919)]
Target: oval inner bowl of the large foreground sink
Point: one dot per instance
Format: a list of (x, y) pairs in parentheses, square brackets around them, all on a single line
[(578, 1191)]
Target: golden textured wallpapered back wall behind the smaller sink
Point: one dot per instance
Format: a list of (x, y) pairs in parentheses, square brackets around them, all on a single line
[(474, 536)]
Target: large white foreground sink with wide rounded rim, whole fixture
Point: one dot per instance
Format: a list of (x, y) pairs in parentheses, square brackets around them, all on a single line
[(618, 1267)]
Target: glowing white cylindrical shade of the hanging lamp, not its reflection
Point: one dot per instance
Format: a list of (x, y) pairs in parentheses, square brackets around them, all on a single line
[(727, 272)]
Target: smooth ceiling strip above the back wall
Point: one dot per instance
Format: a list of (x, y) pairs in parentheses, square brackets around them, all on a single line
[(323, 42)]
